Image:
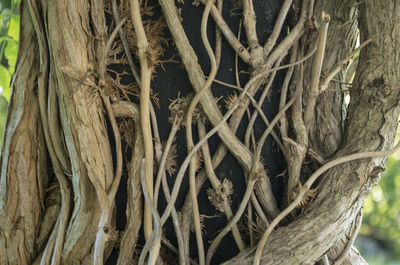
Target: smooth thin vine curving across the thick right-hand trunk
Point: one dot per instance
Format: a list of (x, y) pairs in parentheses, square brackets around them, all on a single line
[(307, 186)]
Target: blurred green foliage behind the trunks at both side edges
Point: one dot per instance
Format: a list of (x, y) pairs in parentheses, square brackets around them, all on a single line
[(381, 209)]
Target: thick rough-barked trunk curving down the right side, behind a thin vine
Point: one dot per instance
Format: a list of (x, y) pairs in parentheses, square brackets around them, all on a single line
[(371, 125)]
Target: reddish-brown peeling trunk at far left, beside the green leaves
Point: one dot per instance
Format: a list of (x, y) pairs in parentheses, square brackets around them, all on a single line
[(24, 175)]
